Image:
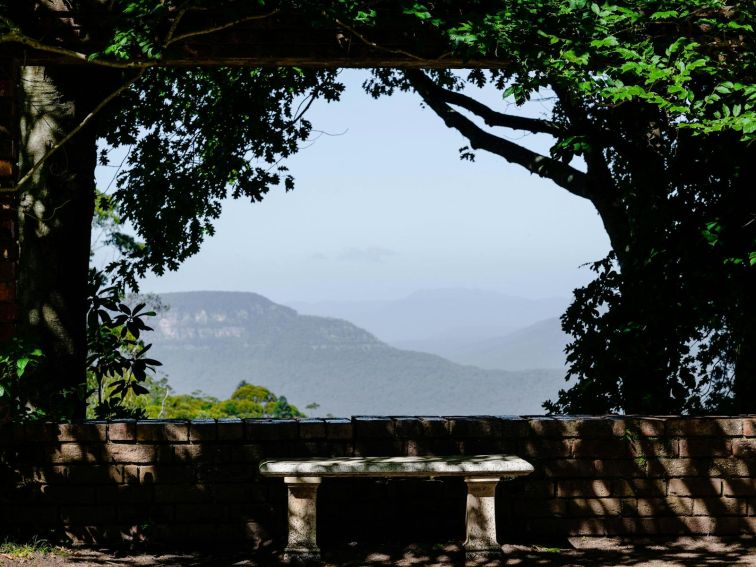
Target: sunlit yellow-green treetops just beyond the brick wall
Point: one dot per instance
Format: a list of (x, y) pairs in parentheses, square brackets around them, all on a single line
[(247, 401)]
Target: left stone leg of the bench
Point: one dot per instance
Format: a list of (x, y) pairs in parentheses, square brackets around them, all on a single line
[(303, 494)]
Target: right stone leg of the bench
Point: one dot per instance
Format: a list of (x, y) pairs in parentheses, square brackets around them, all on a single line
[(480, 519)]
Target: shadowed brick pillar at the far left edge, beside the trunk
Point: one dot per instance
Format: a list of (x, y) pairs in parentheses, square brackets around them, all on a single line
[(9, 137)]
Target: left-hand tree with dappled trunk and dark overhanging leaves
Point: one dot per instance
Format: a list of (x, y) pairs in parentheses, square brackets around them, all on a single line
[(196, 136)]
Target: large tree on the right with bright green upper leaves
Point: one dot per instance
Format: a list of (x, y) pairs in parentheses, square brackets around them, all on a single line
[(659, 100)]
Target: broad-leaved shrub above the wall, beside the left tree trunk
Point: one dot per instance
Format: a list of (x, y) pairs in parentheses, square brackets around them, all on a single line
[(117, 360)]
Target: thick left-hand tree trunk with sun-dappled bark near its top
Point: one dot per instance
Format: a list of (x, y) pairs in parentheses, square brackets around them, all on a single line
[(55, 217)]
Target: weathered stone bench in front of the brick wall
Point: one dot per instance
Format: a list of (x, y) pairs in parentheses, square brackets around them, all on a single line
[(481, 473)]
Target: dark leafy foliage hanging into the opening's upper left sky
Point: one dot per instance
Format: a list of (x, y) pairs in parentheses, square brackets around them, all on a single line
[(196, 137)]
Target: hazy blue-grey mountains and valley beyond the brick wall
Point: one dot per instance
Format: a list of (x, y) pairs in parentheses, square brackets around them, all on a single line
[(210, 341)]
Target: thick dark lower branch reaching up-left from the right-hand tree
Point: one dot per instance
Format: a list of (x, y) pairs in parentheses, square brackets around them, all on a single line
[(567, 177)]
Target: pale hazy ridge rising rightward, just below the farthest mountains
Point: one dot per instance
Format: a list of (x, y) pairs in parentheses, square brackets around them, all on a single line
[(540, 345)]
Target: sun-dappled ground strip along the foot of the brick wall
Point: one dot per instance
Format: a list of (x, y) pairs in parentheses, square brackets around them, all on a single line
[(598, 552)]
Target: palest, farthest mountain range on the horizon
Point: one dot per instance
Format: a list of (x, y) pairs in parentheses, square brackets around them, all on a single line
[(458, 314)]
